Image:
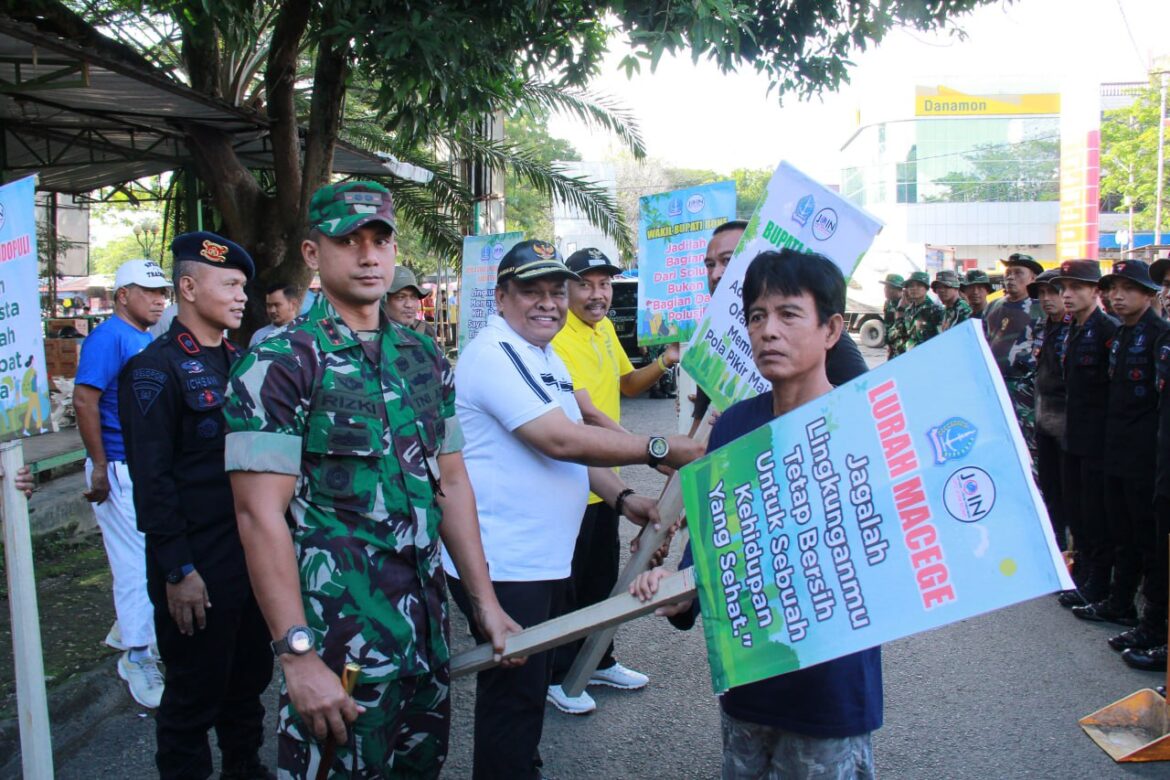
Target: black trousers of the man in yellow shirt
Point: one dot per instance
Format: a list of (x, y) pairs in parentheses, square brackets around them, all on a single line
[(596, 564)]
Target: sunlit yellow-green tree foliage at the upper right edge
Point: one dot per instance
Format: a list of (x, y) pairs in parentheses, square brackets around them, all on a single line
[(1130, 151)]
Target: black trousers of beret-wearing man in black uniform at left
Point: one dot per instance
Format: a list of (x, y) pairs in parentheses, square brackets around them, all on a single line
[(214, 680)]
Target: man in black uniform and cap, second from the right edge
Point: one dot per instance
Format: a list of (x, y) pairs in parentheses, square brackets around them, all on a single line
[(1131, 439)]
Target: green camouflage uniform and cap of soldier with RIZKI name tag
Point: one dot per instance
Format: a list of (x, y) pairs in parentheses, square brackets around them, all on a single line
[(360, 419)]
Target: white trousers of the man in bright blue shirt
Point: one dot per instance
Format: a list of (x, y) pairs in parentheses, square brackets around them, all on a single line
[(126, 547)]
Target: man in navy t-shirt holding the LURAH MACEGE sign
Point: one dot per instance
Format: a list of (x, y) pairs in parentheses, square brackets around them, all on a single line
[(816, 722)]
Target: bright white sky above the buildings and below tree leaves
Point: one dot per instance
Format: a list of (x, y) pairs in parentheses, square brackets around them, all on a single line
[(1037, 45)]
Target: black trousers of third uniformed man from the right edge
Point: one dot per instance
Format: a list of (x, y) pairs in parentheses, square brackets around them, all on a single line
[(1088, 520)]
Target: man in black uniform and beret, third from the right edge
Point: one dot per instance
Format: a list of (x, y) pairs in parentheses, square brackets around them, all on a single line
[(1086, 364)]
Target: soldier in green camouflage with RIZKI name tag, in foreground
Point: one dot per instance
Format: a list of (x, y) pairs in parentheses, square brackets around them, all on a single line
[(345, 425)]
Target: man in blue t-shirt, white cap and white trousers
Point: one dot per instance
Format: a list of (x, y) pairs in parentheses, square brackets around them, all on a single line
[(140, 296)]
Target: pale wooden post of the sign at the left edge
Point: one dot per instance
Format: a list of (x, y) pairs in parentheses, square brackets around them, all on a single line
[(32, 702)]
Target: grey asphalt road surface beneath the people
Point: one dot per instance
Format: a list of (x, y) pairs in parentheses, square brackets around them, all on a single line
[(995, 698)]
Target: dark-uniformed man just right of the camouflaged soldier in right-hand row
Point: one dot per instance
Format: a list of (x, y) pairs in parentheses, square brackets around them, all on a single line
[(1050, 399)]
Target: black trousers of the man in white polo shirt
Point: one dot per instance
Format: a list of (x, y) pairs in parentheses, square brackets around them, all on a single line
[(510, 703)]
